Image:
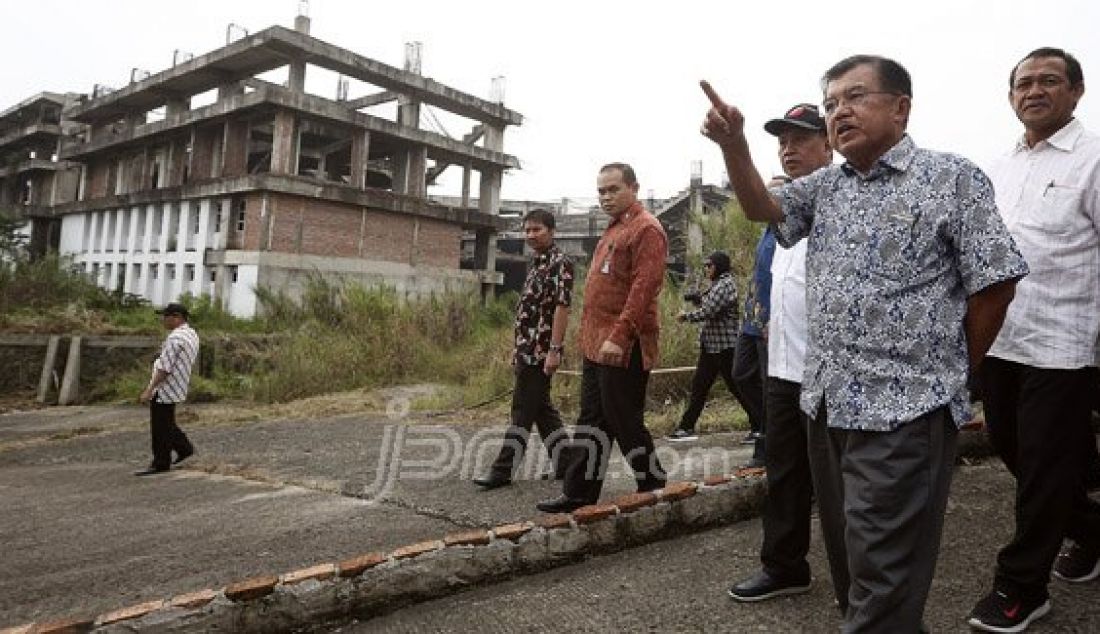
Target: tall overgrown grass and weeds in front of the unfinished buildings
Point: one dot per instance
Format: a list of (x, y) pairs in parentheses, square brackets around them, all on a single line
[(340, 337)]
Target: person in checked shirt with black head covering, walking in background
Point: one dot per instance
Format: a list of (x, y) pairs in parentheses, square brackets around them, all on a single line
[(718, 312)]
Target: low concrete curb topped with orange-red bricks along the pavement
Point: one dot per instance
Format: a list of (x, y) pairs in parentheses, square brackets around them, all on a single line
[(373, 584)]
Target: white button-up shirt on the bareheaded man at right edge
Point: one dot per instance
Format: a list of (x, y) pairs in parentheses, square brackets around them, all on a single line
[(1050, 200)]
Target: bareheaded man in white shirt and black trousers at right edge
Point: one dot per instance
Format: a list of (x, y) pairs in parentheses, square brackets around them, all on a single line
[(1041, 374)]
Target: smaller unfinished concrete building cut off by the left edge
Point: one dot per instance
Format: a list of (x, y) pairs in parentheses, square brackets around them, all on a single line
[(34, 180)]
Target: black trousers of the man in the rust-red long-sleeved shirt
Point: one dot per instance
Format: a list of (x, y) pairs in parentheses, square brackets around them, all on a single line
[(613, 403)]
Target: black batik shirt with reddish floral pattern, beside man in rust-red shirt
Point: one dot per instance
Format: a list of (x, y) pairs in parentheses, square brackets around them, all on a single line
[(549, 285)]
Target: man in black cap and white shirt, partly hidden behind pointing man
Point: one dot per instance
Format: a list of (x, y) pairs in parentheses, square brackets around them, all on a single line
[(804, 148)]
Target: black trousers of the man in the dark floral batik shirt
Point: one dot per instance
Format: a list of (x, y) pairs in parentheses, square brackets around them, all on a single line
[(531, 407)]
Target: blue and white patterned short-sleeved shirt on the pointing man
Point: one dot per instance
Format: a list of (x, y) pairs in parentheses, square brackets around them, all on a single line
[(893, 257)]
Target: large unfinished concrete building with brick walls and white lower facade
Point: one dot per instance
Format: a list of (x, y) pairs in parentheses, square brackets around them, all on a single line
[(268, 184)]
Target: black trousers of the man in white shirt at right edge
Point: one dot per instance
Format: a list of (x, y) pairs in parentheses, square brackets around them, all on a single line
[(1039, 422)]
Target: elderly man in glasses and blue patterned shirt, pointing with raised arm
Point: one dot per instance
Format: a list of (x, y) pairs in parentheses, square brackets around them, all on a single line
[(909, 274)]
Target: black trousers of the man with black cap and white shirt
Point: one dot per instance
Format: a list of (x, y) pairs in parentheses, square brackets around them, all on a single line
[(790, 486)]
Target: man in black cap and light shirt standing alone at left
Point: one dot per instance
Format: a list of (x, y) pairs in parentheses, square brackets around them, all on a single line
[(172, 375)]
